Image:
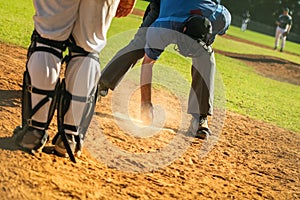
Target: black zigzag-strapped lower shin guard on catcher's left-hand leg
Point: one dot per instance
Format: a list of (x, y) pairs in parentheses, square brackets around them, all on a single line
[(28, 111)]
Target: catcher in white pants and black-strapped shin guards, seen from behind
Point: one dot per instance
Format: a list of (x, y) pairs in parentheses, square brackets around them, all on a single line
[(81, 26)]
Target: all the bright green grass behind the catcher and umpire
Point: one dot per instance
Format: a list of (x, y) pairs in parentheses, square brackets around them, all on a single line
[(247, 92)]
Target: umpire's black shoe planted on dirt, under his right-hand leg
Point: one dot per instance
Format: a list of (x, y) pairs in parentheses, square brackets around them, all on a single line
[(199, 127)]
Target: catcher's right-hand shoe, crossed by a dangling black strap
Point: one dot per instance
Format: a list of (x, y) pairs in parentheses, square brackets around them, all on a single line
[(60, 149)]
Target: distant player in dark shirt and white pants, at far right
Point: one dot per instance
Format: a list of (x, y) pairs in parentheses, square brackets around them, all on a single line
[(284, 25)]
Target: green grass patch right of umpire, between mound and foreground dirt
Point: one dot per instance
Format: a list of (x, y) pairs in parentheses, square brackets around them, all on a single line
[(259, 97)]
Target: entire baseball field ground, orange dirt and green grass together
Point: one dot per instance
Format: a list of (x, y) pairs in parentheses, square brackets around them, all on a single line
[(253, 154)]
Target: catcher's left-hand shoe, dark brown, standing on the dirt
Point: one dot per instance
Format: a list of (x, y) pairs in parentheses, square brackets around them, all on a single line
[(30, 138)]
